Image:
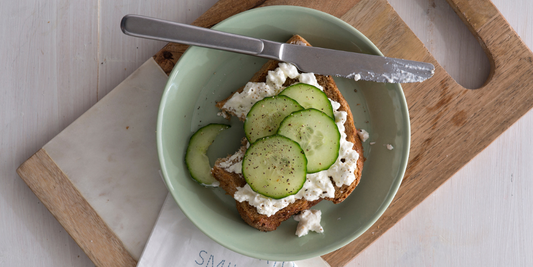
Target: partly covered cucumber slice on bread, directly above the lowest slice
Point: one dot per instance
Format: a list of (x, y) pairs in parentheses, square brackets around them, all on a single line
[(264, 117)]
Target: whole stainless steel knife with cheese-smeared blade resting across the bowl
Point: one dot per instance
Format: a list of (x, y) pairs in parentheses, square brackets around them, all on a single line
[(317, 60)]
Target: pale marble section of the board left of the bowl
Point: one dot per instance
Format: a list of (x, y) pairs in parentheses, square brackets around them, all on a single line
[(110, 155)]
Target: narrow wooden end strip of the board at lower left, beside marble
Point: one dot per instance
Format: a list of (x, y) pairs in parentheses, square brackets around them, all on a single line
[(55, 190)]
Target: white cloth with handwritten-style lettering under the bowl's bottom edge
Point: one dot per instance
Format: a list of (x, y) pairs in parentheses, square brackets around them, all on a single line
[(175, 241)]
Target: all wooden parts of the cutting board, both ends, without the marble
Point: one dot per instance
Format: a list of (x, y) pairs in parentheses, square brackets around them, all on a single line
[(450, 124)]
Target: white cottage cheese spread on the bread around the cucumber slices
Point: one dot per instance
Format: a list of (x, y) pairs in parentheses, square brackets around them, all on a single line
[(318, 185)]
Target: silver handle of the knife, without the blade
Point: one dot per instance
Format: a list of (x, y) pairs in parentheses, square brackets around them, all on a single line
[(162, 30)]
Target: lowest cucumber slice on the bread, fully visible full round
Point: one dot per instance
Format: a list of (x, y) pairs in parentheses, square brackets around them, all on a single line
[(275, 167)]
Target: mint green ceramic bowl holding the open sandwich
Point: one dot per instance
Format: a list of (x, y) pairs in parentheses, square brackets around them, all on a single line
[(203, 76)]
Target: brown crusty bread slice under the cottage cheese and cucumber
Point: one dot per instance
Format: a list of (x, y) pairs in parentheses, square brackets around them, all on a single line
[(230, 181)]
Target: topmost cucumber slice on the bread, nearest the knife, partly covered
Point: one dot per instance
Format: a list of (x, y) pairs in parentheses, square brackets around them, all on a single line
[(309, 97)]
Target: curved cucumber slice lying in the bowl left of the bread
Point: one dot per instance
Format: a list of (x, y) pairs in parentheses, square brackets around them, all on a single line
[(196, 155)]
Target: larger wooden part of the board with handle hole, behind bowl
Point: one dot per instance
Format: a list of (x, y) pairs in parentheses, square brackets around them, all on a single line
[(450, 124)]
